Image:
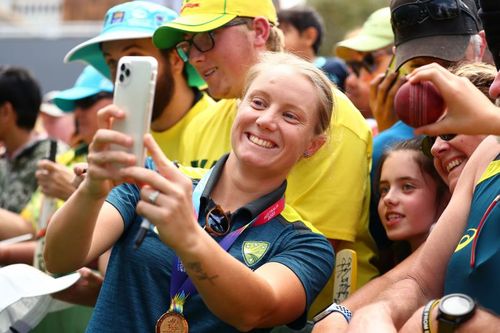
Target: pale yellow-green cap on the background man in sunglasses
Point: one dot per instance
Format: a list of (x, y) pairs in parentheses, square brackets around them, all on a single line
[(375, 34)]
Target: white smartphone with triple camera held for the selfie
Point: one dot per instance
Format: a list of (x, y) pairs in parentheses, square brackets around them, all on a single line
[(134, 93)]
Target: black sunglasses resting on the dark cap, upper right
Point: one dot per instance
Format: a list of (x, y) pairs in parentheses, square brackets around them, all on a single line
[(417, 12)]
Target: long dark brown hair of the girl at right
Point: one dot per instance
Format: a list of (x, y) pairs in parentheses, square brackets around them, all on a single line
[(424, 162)]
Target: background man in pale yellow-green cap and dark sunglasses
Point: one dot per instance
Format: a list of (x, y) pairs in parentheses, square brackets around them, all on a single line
[(367, 54)]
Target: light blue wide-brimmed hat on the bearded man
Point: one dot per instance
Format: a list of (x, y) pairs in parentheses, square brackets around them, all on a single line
[(130, 20)]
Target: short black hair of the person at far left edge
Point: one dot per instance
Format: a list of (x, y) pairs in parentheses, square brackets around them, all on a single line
[(22, 91)]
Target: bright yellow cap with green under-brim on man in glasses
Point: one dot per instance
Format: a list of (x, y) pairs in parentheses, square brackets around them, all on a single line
[(207, 15)]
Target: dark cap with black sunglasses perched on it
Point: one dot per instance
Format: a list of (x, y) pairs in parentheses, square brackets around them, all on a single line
[(436, 28)]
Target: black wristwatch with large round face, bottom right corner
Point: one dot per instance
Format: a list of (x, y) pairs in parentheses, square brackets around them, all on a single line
[(453, 310)]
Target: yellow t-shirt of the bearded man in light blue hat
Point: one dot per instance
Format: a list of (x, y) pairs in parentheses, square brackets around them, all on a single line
[(169, 140)]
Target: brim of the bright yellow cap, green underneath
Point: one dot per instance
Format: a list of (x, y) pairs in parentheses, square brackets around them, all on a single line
[(173, 32)]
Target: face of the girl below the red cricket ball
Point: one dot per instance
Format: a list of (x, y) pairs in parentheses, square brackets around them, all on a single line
[(408, 204)]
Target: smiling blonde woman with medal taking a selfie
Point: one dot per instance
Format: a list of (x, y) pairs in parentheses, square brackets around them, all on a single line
[(244, 259)]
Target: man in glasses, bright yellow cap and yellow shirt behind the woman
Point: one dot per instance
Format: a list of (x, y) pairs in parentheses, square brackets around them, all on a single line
[(222, 39)]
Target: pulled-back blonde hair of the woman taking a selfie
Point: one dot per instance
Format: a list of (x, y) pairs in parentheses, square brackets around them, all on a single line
[(307, 69)]
